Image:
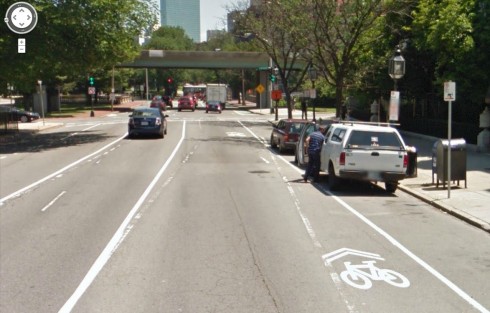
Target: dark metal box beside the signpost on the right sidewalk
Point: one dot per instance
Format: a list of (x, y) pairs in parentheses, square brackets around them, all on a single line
[(440, 161)]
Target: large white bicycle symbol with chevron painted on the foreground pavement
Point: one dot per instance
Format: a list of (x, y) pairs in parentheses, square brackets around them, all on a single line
[(362, 275)]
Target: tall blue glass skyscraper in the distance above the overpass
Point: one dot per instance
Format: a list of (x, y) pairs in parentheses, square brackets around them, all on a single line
[(183, 13)]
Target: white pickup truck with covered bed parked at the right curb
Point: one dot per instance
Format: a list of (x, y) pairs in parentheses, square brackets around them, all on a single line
[(364, 152)]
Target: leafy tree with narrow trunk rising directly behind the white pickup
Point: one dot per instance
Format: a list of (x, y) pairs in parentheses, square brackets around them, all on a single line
[(342, 33)]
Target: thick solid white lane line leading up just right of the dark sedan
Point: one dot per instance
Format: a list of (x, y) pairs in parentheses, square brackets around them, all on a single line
[(118, 237)]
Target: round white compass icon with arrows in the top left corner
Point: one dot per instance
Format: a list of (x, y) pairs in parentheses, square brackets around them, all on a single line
[(21, 17)]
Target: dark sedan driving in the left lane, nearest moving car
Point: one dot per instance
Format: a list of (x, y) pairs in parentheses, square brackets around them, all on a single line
[(147, 121)]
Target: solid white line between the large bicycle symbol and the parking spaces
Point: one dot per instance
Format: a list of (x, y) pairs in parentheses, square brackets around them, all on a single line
[(397, 244)]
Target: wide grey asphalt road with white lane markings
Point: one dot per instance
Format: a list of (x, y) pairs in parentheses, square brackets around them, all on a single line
[(209, 219)]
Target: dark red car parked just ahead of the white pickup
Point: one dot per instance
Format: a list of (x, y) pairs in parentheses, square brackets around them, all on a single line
[(285, 133)]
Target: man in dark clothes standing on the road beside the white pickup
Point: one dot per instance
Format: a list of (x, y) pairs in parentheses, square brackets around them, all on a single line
[(314, 144)]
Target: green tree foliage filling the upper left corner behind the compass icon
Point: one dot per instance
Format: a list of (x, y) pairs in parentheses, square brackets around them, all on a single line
[(74, 38)]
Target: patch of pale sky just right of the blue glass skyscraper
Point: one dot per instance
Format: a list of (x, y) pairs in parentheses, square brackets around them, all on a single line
[(213, 15)]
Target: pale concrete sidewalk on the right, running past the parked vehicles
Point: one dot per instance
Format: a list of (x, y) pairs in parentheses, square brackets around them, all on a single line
[(471, 204)]
